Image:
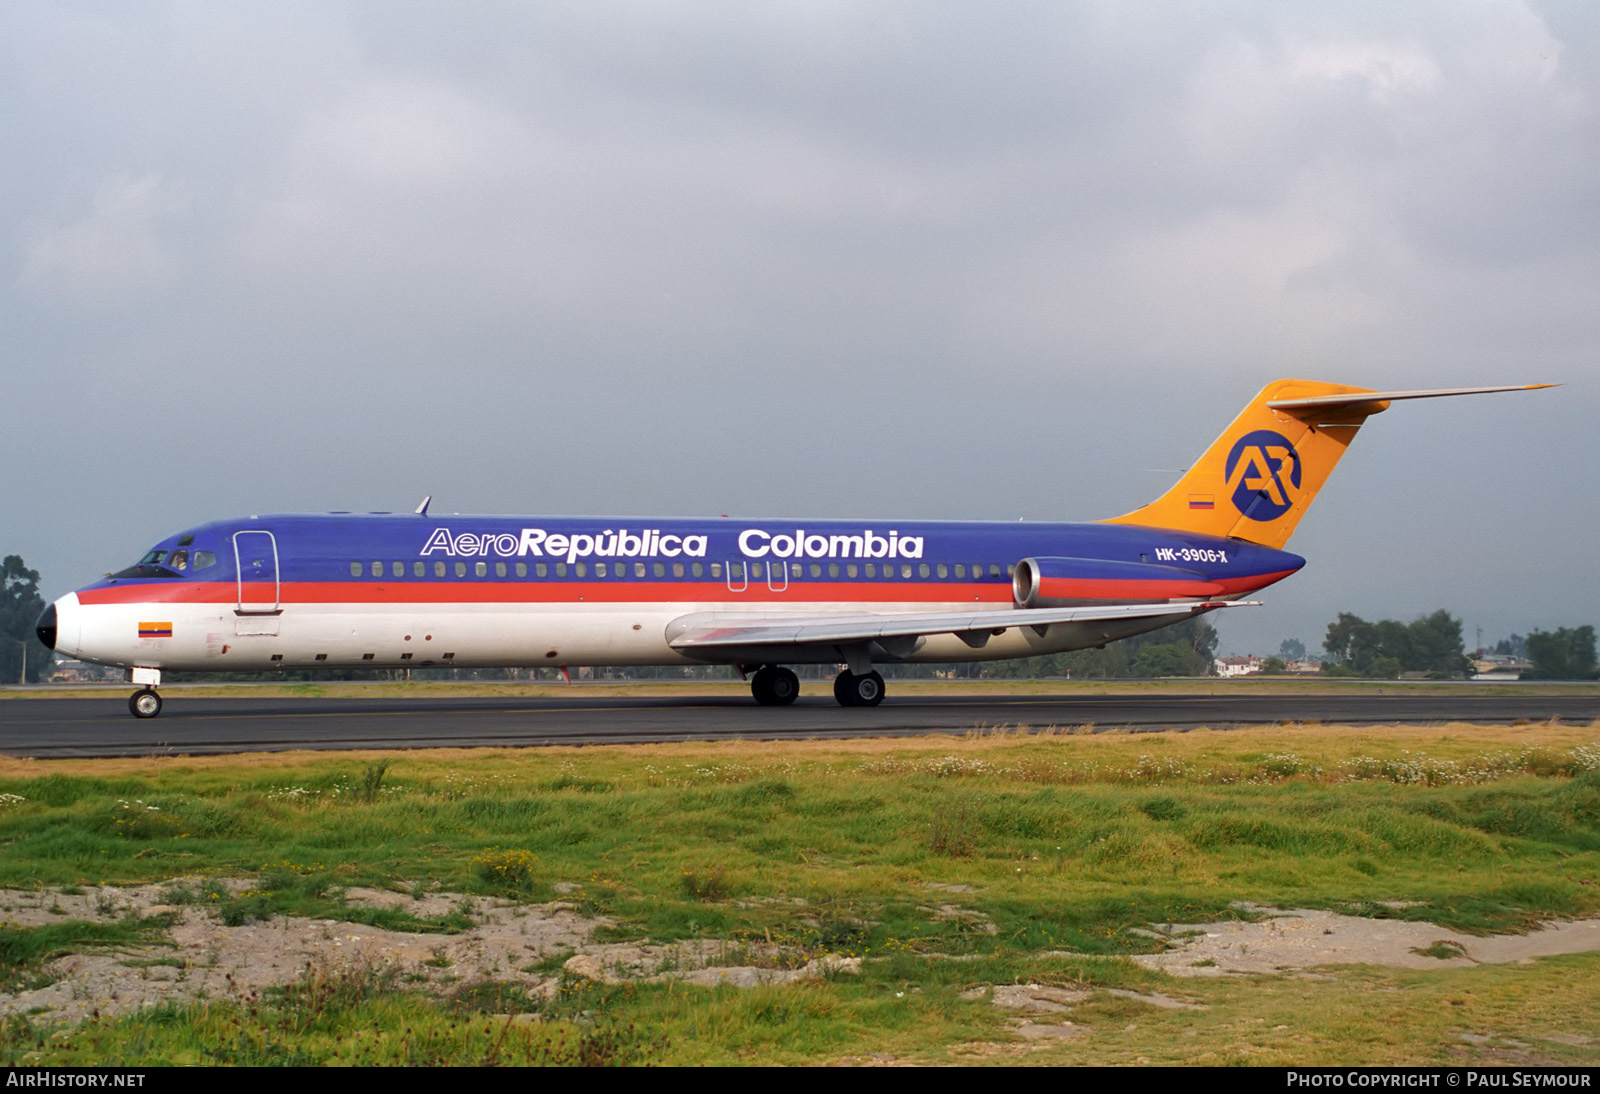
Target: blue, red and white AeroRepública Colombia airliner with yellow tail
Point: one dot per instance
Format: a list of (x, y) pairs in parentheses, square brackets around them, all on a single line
[(412, 591)]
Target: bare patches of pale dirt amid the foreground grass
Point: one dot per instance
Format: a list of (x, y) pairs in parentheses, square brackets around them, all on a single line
[(534, 944)]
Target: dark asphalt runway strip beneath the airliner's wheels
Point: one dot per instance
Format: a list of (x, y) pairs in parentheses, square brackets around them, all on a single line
[(102, 727)]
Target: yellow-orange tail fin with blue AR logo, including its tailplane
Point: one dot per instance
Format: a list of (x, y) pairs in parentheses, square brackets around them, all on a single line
[(1260, 477)]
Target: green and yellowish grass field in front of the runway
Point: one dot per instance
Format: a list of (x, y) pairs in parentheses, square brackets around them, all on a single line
[(946, 864)]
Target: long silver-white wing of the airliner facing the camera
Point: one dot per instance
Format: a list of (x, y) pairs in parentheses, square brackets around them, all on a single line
[(710, 631)]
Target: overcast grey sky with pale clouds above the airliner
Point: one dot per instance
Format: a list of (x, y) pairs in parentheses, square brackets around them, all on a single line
[(826, 260)]
